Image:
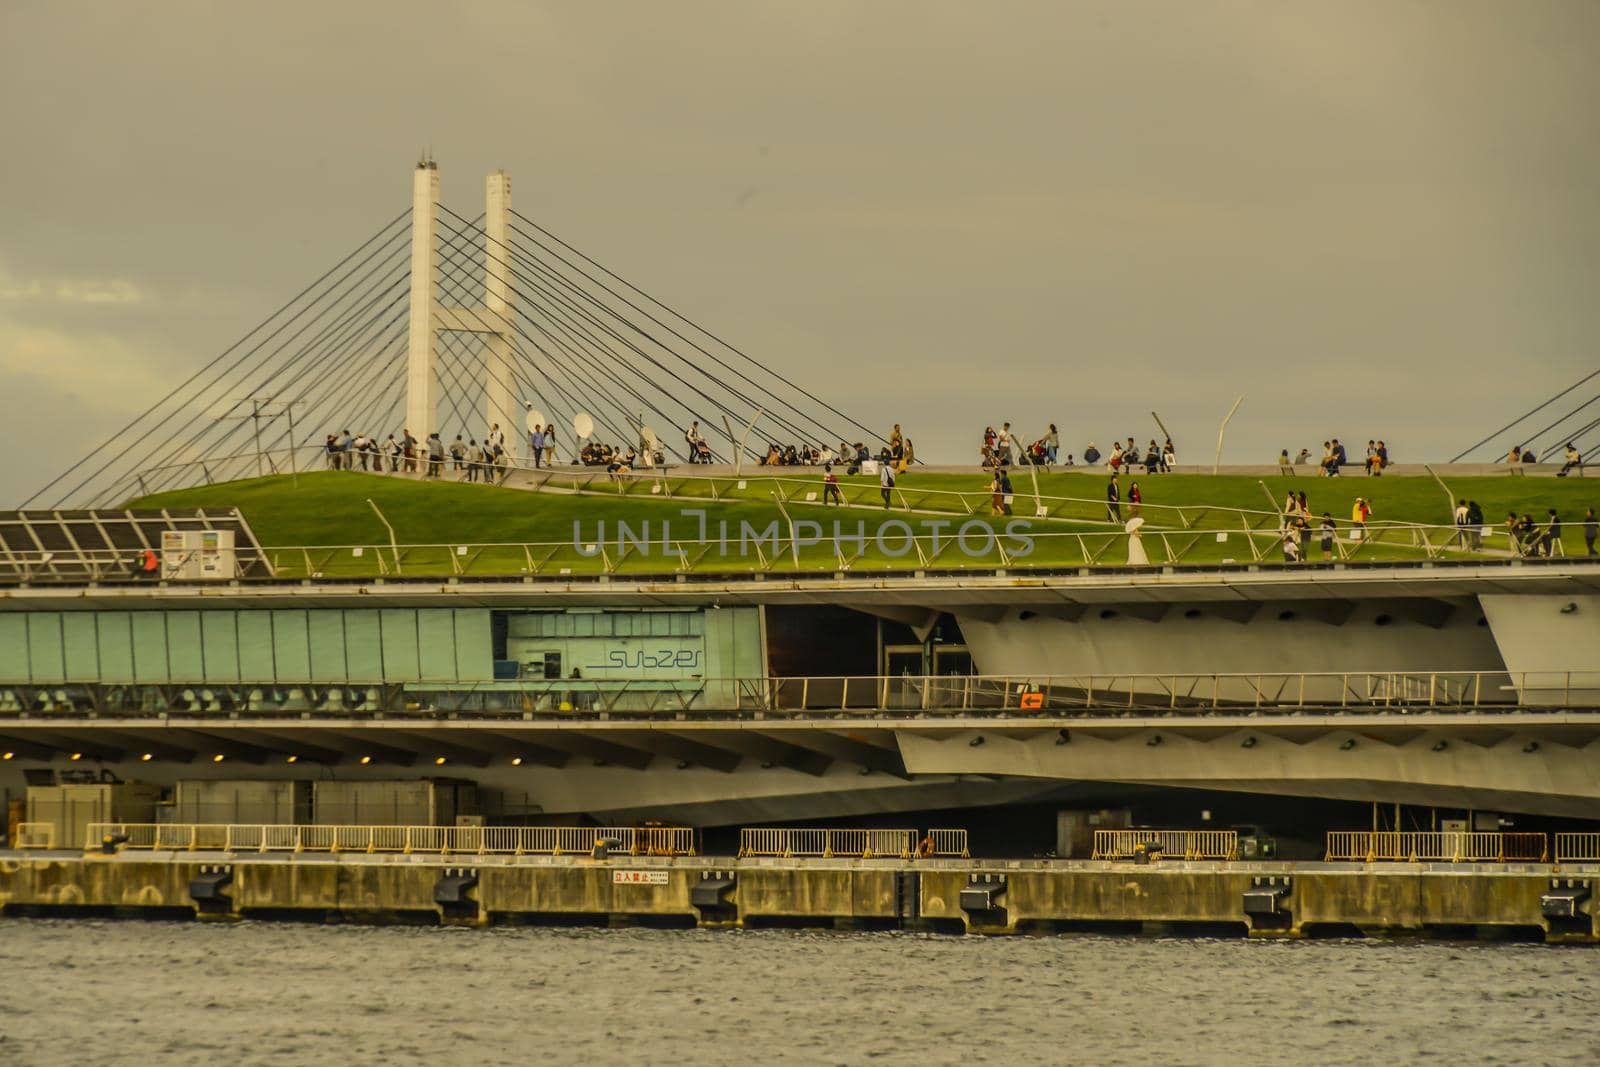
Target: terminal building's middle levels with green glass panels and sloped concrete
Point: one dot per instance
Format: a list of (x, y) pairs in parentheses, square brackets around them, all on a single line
[(1447, 687)]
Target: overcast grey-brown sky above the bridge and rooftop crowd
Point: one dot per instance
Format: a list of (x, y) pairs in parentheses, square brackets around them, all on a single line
[(1372, 220)]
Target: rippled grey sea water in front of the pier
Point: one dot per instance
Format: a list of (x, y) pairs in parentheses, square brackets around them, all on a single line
[(130, 993)]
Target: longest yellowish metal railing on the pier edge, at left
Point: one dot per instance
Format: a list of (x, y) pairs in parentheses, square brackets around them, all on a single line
[(393, 839)]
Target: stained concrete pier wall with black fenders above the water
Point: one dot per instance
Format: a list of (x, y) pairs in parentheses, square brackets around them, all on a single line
[(1266, 900)]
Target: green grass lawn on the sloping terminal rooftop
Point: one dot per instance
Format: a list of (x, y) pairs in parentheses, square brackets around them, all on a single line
[(455, 527)]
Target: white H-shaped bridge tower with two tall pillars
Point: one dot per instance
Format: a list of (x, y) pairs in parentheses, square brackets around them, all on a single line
[(430, 316)]
